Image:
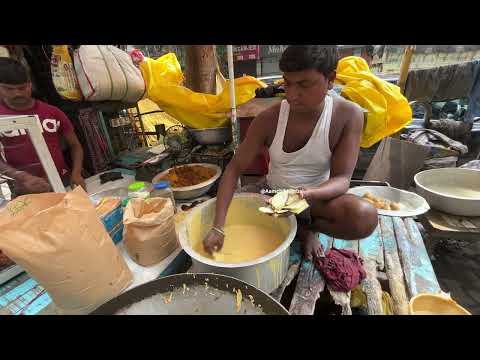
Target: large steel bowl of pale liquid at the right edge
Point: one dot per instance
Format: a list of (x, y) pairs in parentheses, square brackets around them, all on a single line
[(452, 190)]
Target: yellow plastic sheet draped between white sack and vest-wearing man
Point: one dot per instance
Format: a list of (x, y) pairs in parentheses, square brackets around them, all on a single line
[(164, 78)]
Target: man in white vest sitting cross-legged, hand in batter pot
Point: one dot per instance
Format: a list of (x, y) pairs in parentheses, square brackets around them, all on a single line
[(313, 141)]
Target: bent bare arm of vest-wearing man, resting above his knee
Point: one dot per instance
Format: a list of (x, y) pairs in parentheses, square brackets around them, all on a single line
[(344, 159)]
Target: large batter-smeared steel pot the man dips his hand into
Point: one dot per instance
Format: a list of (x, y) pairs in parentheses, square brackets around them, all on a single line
[(267, 272)]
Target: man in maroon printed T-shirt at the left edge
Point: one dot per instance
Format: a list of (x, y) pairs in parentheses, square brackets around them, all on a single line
[(23, 163)]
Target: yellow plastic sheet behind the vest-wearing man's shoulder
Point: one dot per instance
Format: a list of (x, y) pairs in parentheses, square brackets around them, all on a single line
[(388, 109)]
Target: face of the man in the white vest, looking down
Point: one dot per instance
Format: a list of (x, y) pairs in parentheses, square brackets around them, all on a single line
[(305, 90)]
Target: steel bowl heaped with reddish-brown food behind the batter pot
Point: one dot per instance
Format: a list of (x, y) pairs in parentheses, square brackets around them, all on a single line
[(190, 181)]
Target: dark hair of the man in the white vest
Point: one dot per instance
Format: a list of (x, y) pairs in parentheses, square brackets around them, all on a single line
[(323, 58)]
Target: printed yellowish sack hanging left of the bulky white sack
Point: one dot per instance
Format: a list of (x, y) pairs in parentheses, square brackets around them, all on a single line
[(63, 74)]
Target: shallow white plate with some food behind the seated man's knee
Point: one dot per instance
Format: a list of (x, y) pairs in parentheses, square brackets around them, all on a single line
[(390, 201)]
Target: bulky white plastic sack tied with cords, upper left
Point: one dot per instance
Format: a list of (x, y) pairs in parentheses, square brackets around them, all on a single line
[(105, 72)]
